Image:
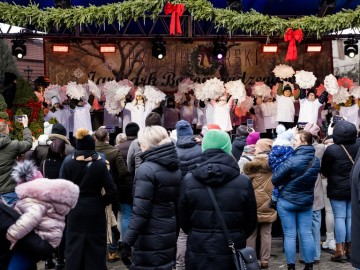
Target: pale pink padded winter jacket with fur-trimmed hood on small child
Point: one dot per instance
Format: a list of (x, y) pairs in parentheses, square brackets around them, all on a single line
[(43, 205)]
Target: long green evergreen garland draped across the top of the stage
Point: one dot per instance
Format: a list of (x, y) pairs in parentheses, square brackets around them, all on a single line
[(251, 22)]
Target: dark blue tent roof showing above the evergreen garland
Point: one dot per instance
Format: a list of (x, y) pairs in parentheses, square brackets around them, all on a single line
[(270, 7)]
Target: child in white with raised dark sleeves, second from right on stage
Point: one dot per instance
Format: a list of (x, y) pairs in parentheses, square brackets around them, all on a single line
[(310, 105)]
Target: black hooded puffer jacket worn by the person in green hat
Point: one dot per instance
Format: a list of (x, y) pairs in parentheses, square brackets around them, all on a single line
[(206, 244)]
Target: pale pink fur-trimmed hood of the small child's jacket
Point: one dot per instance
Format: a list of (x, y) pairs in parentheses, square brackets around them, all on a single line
[(54, 191)]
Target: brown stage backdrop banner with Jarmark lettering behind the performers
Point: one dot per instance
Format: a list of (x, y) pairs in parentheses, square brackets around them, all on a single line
[(133, 60)]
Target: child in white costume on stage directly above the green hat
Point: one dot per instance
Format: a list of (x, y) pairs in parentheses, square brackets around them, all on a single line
[(222, 113)]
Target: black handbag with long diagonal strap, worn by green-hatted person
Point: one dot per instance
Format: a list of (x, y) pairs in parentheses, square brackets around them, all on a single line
[(244, 259)]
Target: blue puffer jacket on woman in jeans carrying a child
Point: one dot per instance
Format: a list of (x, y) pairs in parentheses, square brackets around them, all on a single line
[(298, 180)]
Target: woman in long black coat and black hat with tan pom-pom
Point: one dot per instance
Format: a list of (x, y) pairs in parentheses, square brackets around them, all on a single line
[(85, 247)]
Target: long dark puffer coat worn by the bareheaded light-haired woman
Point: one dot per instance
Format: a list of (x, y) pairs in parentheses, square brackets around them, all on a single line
[(152, 229)]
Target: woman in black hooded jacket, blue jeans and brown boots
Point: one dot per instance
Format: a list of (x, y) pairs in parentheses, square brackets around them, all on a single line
[(337, 163)]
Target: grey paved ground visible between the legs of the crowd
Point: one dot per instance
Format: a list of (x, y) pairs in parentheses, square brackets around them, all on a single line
[(277, 261)]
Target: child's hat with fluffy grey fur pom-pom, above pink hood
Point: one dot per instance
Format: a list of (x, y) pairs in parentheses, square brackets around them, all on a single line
[(25, 171)]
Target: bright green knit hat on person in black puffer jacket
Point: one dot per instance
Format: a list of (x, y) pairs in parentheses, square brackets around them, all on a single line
[(217, 139)]
